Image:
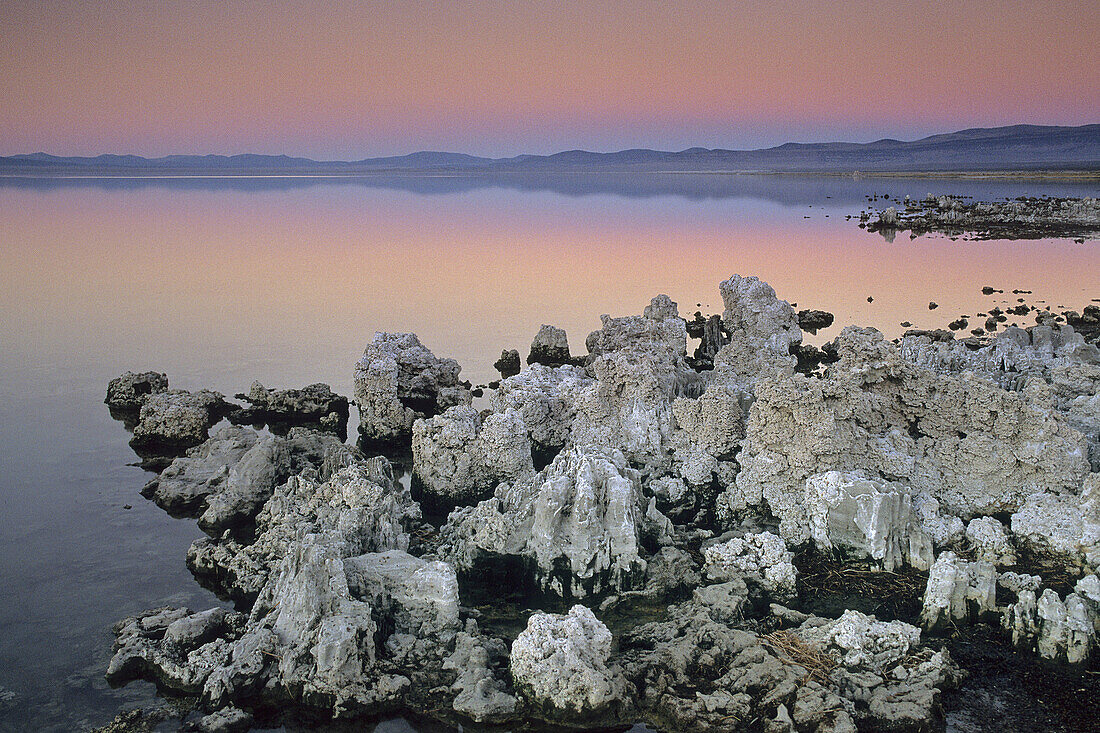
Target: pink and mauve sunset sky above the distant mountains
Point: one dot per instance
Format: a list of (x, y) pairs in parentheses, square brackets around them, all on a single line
[(344, 81)]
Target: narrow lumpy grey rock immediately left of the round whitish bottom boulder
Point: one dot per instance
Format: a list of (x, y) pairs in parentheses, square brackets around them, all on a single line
[(481, 692)]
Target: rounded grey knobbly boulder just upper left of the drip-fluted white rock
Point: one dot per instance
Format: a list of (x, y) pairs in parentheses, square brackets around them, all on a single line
[(460, 457)]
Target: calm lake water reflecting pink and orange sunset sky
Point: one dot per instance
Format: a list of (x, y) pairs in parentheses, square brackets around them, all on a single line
[(222, 282)]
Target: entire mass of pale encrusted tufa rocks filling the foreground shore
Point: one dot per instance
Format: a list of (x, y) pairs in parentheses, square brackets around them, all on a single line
[(683, 500)]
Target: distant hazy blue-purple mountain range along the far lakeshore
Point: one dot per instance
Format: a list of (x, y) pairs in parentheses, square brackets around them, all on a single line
[(1021, 147)]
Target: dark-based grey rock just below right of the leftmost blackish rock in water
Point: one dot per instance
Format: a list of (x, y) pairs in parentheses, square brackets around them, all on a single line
[(170, 423)]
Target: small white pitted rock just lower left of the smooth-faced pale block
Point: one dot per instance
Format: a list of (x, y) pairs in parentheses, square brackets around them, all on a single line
[(762, 559)]
